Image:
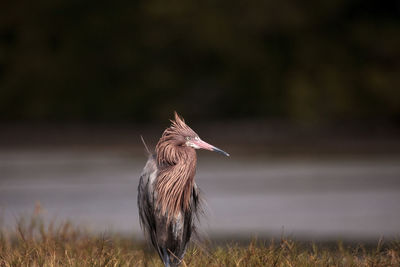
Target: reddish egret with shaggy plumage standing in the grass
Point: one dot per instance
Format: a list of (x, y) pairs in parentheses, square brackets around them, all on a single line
[(168, 197)]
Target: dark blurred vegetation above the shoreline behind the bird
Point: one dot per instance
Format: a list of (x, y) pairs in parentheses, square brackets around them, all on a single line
[(140, 60)]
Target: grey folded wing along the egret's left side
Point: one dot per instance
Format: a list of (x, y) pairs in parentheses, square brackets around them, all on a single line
[(146, 201)]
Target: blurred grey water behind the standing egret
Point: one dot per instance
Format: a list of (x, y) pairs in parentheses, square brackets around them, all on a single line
[(306, 198)]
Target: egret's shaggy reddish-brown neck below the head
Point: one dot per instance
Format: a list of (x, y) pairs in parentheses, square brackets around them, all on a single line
[(175, 180)]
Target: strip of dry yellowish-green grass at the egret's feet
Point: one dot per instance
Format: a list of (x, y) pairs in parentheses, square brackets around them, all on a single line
[(34, 243)]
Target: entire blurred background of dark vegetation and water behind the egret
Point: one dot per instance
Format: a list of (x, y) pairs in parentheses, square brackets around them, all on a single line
[(304, 95)]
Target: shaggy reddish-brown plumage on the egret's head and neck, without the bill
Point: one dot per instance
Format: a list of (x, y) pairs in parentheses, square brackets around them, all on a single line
[(177, 165)]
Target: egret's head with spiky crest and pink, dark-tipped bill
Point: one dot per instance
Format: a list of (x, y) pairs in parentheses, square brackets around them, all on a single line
[(179, 134)]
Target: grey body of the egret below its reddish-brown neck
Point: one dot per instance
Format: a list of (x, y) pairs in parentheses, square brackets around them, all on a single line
[(168, 236)]
